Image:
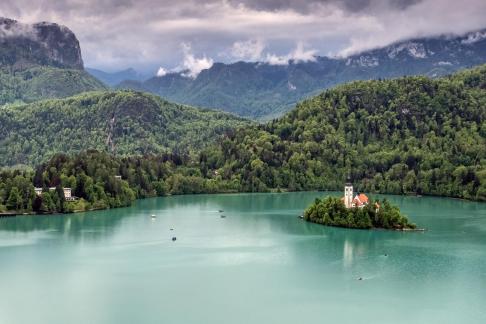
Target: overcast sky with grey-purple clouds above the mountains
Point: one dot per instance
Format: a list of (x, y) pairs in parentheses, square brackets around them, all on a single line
[(161, 35)]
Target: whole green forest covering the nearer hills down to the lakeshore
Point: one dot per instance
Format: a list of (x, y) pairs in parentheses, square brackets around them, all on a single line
[(409, 135)]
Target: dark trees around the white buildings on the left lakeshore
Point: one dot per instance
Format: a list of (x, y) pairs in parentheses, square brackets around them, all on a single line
[(100, 180)]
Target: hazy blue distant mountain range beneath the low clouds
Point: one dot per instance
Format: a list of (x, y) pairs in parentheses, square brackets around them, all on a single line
[(263, 91)]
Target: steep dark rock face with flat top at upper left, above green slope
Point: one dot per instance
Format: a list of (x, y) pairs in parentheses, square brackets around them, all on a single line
[(48, 44)]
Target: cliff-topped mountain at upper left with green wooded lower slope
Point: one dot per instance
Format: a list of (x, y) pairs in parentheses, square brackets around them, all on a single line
[(40, 61)]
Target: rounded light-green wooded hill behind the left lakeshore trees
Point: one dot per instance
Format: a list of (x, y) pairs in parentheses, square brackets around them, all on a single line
[(121, 122)]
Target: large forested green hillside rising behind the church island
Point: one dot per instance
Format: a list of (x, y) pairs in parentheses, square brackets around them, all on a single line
[(409, 135)]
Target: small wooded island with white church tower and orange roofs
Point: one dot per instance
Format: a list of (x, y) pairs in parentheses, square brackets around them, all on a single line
[(357, 212)]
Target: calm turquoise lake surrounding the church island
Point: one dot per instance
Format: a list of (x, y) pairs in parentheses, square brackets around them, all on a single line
[(260, 264)]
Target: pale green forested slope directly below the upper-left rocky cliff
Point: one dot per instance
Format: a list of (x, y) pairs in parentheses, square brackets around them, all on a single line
[(43, 82)]
